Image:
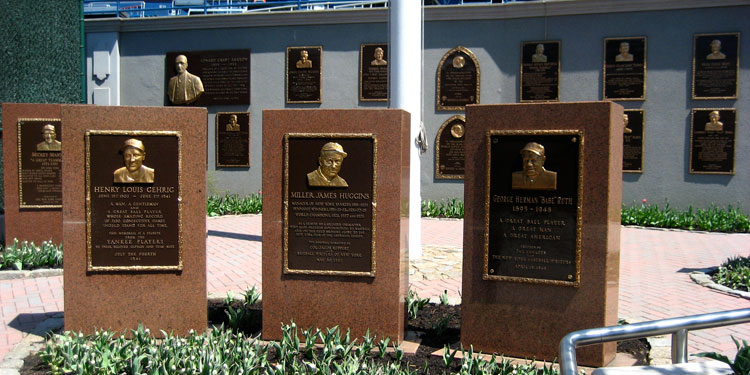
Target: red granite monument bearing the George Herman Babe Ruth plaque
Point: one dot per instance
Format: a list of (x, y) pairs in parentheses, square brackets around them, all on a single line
[(542, 228)]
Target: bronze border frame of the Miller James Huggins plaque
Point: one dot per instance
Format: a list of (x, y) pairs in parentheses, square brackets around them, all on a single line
[(285, 204)]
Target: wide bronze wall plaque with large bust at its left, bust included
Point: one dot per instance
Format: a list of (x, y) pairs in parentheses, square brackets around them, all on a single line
[(208, 77)]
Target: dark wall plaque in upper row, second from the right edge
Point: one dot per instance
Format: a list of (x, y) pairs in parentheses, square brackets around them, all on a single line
[(624, 68)]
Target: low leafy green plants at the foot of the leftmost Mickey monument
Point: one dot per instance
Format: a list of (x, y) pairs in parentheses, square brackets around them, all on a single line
[(27, 255)]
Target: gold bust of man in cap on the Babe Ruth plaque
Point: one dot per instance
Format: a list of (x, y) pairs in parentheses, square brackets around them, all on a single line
[(534, 176)]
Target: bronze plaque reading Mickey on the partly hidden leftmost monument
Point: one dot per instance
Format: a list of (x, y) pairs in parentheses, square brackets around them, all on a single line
[(39, 163)]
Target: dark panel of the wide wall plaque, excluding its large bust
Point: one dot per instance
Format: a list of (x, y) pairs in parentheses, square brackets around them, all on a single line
[(224, 75)]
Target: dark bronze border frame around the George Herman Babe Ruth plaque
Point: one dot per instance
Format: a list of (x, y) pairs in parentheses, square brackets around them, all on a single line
[(579, 211)]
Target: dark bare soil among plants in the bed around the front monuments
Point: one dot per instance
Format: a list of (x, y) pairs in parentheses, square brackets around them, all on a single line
[(437, 325)]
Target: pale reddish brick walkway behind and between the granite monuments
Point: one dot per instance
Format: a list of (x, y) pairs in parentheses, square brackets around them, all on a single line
[(654, 276)]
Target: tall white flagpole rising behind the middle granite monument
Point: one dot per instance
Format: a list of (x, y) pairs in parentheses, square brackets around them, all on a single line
[(405, 69)]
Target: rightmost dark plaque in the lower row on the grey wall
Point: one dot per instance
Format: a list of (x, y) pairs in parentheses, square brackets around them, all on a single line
[(712, 140)]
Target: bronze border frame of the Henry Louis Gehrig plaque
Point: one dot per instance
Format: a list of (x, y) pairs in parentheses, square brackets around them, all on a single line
[(180, 262)]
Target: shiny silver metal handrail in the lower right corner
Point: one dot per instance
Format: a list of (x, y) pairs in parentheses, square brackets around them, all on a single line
[(677, 327)]
